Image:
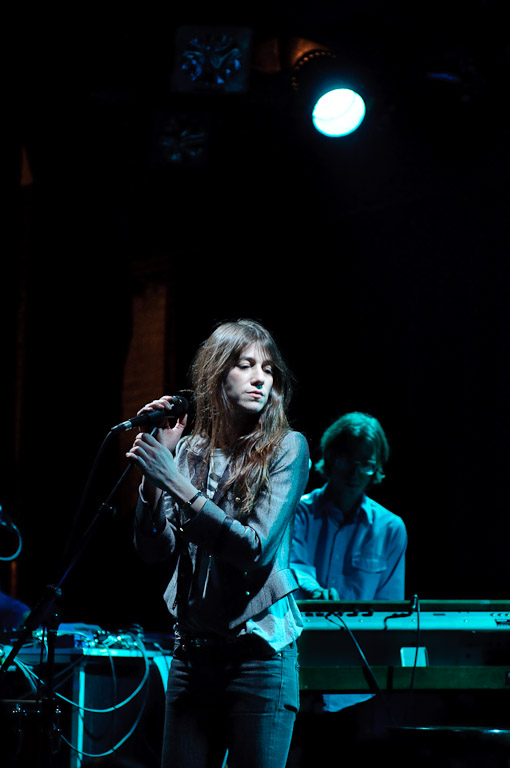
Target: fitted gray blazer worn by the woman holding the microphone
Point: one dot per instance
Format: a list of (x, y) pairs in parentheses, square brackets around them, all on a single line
[(250, 560)]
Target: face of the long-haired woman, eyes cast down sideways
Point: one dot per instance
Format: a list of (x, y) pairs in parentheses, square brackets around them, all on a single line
[(249, 383)]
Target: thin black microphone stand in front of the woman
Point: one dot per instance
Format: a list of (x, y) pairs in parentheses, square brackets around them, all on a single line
[(45, 614)]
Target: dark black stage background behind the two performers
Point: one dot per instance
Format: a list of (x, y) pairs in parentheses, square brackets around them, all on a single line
[(379, 261)]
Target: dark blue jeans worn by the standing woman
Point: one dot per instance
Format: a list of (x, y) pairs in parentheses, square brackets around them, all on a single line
[(244, 700)]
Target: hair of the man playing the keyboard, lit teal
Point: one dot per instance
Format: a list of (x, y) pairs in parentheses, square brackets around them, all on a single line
[(355, 424)]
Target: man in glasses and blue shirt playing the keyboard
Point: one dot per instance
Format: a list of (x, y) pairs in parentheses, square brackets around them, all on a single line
[(346, 546)]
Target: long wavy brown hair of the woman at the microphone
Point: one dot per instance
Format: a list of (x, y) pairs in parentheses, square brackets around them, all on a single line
[(250, 453)]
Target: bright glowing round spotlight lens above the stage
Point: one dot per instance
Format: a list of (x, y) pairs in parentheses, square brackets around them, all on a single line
[(338, 112)]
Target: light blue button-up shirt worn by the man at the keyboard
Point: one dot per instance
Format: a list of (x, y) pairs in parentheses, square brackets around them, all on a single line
[(363, 559)]
